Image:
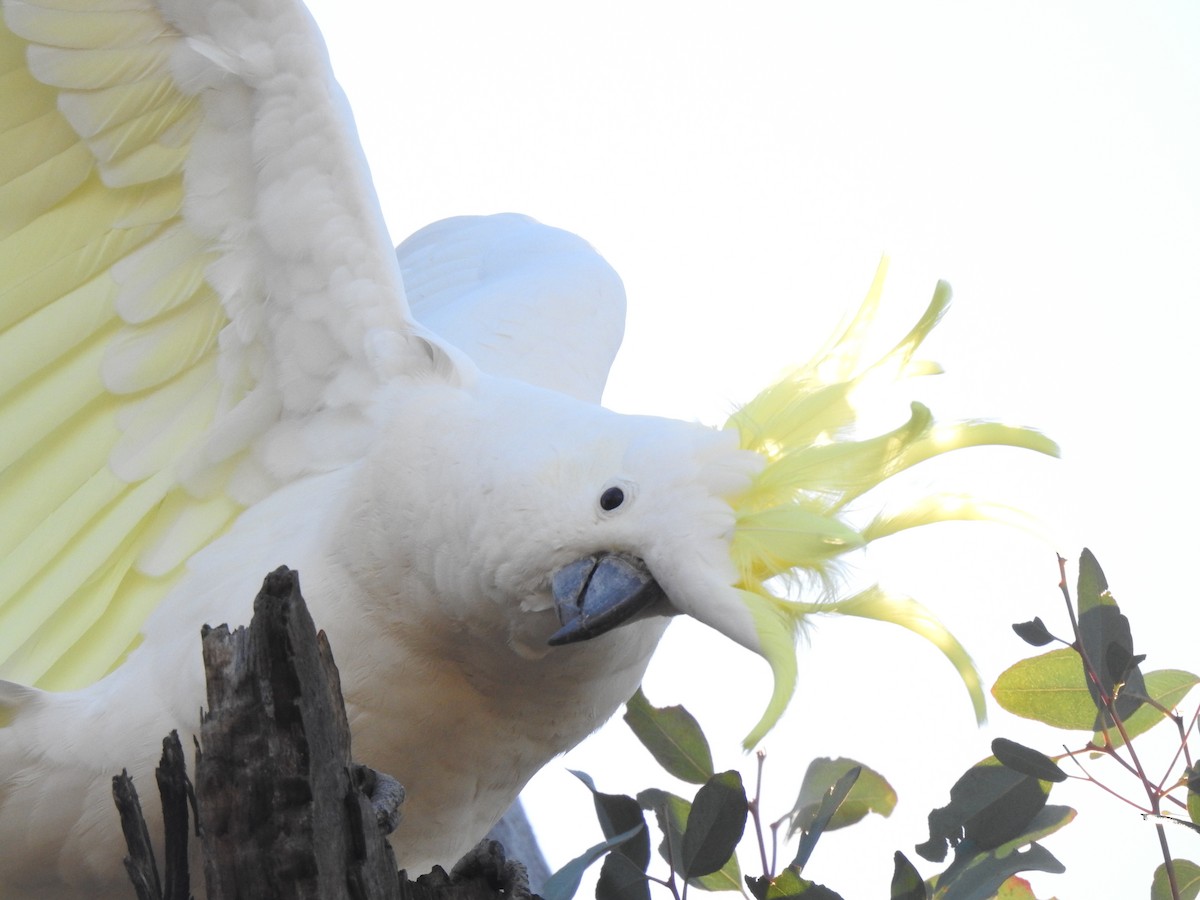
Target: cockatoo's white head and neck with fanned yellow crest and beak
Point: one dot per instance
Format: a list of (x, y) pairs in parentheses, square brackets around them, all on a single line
[(571, 521)]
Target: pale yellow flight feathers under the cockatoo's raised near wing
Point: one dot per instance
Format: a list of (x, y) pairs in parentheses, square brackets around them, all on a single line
[(107, 340)]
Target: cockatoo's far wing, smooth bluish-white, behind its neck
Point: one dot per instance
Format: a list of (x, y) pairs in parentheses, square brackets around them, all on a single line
[(519, 298)]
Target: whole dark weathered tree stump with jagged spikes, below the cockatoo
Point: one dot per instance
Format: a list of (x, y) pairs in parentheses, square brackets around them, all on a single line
[(283, 812)]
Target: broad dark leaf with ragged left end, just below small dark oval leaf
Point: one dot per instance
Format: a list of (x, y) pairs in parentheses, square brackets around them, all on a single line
[(989, 806)]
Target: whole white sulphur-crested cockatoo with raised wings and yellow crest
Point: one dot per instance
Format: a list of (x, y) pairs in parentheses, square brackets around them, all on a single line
[(209, 368)]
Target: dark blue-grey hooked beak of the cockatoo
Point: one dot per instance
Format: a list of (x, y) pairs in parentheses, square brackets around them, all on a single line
[(598, 593)]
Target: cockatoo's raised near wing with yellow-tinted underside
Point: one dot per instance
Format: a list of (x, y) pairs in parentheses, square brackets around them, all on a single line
[(197, 302)]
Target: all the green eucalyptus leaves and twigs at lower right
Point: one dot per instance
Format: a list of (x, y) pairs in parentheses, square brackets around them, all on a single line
[(998, 811)]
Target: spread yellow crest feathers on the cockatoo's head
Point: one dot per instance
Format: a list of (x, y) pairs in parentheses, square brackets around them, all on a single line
[(793, 519)]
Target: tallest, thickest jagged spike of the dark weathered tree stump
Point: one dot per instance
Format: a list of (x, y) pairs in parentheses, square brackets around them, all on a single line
[(284, 815)]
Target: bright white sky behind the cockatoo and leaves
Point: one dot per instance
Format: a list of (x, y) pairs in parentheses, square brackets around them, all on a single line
[(743, 171)]
